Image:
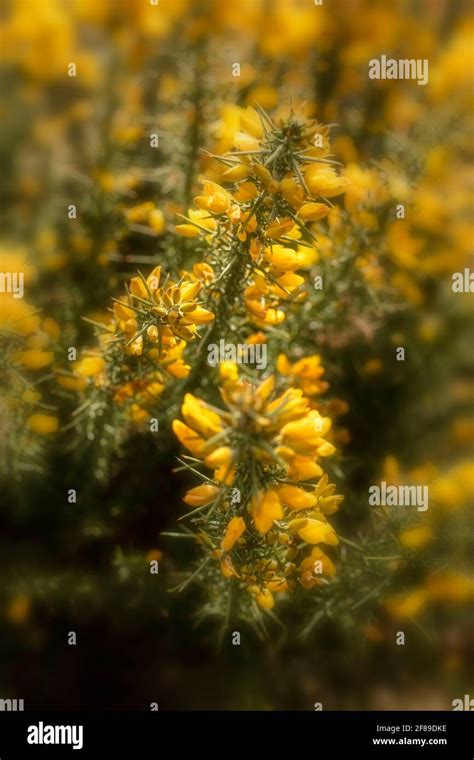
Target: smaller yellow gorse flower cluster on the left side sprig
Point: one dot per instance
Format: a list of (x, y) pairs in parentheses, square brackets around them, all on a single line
[(151, 325)]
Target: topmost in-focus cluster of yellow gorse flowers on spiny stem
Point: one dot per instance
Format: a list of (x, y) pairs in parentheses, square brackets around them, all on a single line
[(279, 176)]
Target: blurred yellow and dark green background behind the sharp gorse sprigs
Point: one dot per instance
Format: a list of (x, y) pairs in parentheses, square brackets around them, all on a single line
[(84, 140)]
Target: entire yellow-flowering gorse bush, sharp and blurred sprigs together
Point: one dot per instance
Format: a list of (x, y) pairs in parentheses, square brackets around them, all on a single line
[(235, 285)]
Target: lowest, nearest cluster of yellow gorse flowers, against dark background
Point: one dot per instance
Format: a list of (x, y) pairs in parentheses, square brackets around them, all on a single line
[(268, 498)]
